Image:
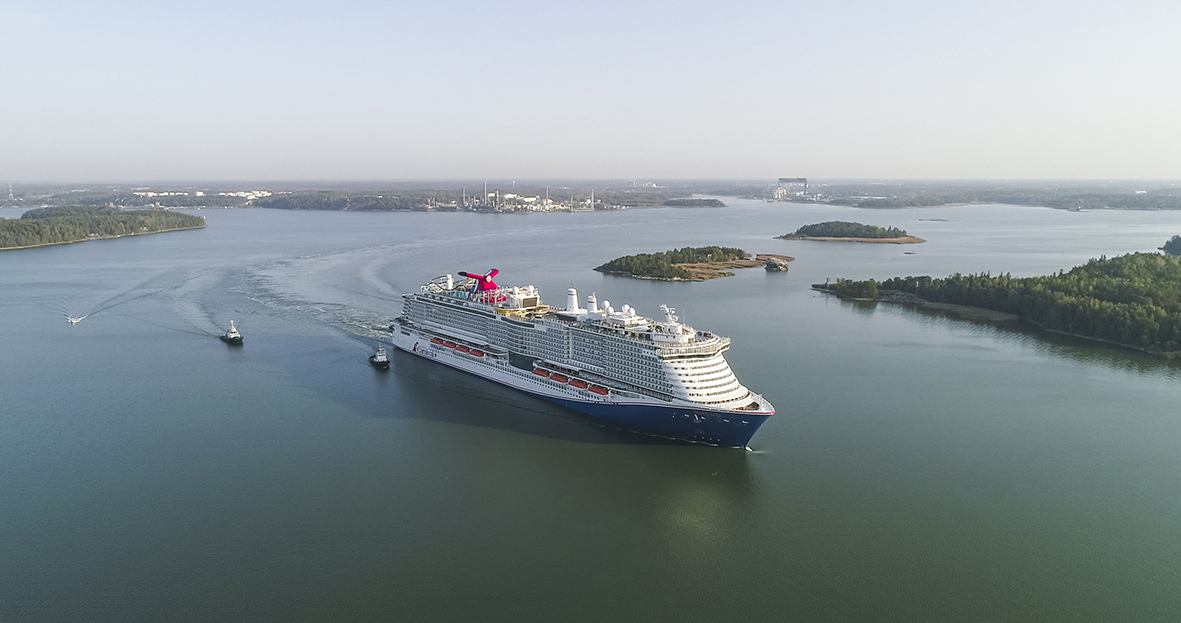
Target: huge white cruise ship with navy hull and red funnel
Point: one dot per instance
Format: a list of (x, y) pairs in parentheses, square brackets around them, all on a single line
[(657, 377)]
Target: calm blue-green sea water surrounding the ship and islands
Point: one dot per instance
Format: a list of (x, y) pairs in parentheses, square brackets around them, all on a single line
[(919, 469)]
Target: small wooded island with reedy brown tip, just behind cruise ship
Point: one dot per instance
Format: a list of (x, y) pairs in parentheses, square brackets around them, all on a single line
[(691, 264)]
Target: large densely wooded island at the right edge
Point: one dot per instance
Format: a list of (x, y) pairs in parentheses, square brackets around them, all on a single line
[(1133, 300)]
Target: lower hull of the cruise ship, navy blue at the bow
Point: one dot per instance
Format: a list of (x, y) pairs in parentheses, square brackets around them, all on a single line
[(696, 425)]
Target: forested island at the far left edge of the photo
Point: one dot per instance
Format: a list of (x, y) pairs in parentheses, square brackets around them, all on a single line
[(64, 225)]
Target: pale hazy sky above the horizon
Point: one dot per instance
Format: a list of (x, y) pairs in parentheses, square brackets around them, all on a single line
[(354, 90)]
